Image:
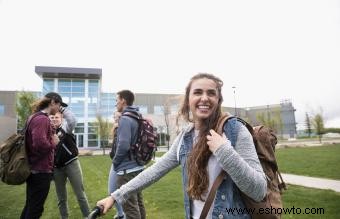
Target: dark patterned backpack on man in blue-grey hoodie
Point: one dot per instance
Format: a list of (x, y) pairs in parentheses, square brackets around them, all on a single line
[(144, 148)]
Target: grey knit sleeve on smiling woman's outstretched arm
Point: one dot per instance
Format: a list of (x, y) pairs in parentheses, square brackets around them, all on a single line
[(150, 175)]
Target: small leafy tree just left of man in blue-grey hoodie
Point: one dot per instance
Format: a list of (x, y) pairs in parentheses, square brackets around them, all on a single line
[(103, 131)]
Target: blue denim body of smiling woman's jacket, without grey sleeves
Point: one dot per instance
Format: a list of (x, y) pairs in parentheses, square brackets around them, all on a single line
[(227, 195)]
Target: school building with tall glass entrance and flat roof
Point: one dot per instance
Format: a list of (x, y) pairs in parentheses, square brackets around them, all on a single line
[(81, 89)]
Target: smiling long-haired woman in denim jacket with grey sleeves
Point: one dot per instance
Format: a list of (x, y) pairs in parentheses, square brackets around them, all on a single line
[(202, 154)]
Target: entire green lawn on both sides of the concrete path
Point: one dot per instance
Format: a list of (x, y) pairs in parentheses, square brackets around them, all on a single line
[(164, 199)]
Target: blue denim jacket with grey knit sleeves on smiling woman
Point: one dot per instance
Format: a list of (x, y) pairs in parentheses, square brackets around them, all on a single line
[(240, 160)]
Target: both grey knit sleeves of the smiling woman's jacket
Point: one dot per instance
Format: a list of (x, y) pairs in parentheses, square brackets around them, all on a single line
[(241, 163)]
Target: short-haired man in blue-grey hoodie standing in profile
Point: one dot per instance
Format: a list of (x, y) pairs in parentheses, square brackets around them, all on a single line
[(125, 167)]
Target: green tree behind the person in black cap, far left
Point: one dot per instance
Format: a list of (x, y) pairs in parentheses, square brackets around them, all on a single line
[(24, 106)]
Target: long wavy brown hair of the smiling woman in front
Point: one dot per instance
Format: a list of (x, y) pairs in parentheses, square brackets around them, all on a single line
[(197, 161)]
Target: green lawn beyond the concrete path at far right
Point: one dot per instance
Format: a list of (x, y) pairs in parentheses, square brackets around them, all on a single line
[(320, 161)]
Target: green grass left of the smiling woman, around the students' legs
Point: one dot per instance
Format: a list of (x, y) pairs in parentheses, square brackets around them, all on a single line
[(162, 200)]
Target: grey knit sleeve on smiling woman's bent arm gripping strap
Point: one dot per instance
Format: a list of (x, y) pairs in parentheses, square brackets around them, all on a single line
[(243, 166)]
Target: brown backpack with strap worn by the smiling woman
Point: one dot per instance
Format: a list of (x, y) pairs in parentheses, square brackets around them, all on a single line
[(265, 141)]
